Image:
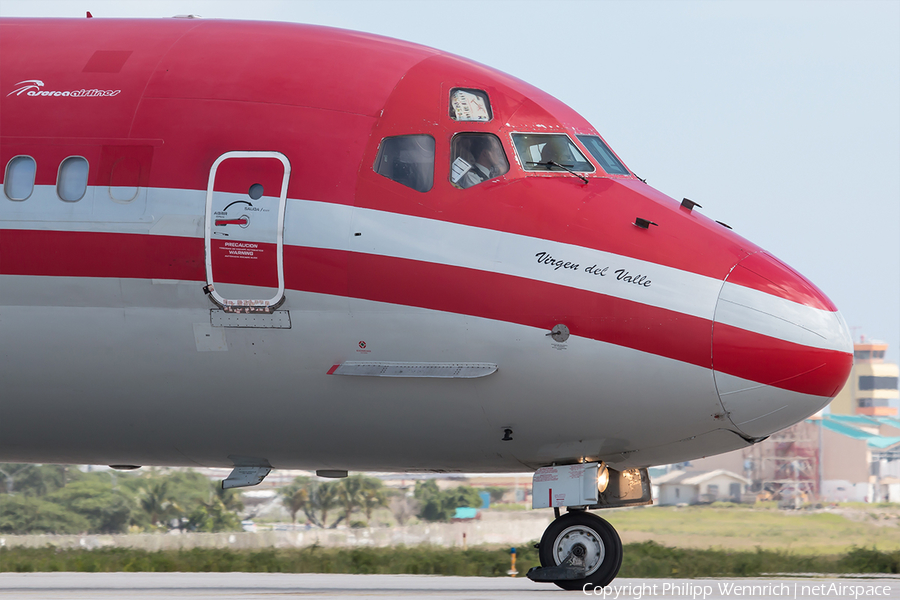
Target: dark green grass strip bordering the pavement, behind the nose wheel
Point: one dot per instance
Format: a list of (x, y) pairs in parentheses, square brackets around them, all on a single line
[(646, 559)]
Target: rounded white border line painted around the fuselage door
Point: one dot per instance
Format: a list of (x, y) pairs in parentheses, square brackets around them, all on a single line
[(250, 305)]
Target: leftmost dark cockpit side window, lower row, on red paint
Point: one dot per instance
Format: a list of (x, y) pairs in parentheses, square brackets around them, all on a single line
[(408, 160)]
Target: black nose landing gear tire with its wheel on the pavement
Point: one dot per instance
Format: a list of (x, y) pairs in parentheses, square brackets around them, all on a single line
[(589, 539)]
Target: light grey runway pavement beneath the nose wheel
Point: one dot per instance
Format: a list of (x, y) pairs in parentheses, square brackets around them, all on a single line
[(253, 586)]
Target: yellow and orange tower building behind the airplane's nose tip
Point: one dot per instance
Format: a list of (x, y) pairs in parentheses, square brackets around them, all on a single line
[(873, 383)]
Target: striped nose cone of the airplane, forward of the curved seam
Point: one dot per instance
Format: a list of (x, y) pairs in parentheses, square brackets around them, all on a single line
[(781, 350)]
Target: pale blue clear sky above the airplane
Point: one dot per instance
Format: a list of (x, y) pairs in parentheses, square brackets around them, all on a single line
[(781, 118)]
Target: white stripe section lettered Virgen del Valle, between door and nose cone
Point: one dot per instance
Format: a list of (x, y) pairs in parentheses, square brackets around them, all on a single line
[(441, 242)]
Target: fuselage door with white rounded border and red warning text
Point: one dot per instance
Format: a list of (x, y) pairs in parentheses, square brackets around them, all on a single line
[(244, 230)]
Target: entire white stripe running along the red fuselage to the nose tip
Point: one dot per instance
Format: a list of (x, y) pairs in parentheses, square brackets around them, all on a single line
[(332, 226)]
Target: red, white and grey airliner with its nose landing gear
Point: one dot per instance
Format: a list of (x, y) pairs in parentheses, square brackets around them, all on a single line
[(270, 245)]
